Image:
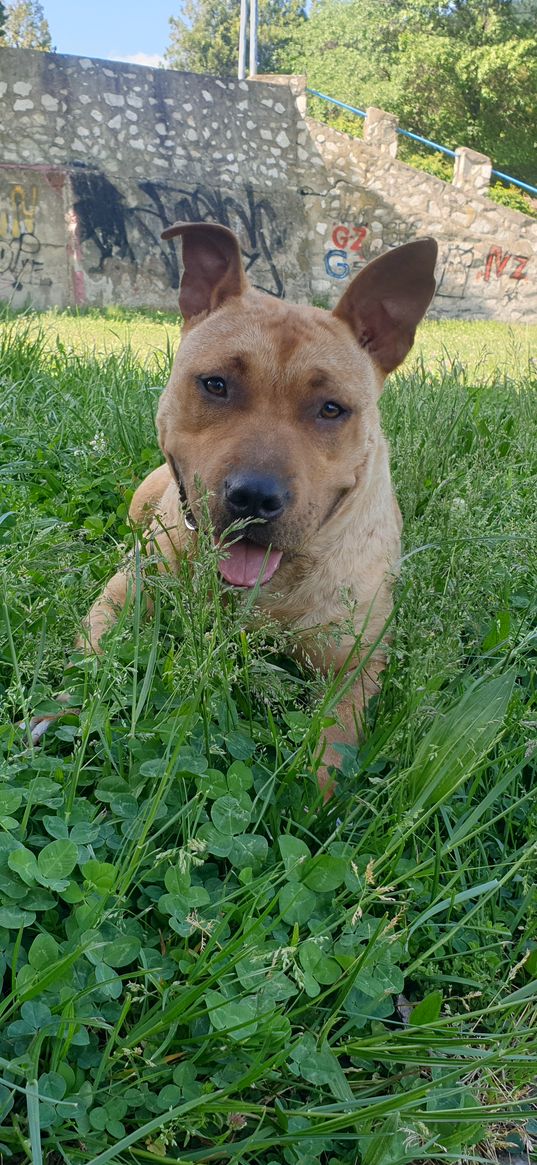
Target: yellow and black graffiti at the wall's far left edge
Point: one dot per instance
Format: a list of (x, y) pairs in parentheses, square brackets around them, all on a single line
[(19, 244)]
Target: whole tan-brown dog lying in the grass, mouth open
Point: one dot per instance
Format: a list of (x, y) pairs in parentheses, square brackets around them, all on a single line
[(272, 409)]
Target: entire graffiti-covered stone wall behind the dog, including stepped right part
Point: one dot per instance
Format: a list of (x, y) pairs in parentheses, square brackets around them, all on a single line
[(97, 158)]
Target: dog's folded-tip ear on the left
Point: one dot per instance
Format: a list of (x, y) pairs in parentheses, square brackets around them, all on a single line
[(213, 266)]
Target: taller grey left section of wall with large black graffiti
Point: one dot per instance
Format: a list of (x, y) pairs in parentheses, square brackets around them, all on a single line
[(137, 150)]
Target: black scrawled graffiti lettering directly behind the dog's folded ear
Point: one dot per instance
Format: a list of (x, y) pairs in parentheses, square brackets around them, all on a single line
[(253, 220)]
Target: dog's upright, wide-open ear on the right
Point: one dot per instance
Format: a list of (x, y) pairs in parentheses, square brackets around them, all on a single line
[(387, 300)]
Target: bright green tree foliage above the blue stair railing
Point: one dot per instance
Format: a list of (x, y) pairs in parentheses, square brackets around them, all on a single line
[(463, 74)]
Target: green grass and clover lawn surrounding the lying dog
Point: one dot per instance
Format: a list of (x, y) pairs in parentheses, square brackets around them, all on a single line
[(201, 962)]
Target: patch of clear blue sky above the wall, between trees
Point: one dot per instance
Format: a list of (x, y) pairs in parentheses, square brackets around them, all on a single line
[(121, 30)]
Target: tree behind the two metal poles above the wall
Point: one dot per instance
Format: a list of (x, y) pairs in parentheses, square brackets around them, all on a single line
[(207, 38)]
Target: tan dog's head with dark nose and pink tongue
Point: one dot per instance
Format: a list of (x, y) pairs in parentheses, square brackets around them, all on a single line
[(271, 407)]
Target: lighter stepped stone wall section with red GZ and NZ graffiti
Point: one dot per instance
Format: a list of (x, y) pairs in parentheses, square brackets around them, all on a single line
[(487, 266)]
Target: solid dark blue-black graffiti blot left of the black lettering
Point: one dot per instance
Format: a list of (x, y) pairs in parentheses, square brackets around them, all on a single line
[(101, 215)]
